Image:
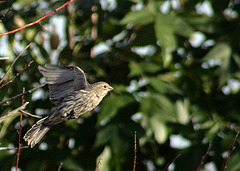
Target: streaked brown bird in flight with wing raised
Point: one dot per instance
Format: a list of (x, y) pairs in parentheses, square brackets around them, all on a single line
[(72, 95)]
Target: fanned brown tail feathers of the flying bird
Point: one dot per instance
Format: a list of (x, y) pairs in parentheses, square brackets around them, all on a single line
[(35, 134)]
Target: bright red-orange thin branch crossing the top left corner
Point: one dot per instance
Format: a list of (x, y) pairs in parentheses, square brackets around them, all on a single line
[(36, 22)]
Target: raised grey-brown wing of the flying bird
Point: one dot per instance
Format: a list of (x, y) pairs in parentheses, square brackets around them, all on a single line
[(63, 80)]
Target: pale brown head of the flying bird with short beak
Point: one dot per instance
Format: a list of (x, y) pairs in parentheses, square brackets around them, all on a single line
[(101, 88)]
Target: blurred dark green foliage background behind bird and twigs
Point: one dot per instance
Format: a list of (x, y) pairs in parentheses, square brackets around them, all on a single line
[(174, 66)]
